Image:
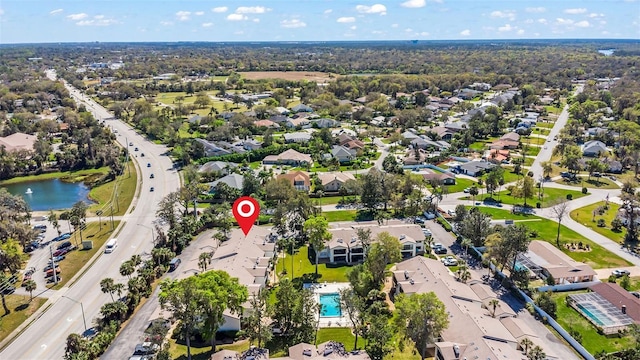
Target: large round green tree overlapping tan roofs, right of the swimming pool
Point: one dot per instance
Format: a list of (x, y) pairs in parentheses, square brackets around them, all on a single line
[(420, 318)]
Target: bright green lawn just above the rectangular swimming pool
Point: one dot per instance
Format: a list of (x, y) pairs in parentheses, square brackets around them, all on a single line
[(302, 265)]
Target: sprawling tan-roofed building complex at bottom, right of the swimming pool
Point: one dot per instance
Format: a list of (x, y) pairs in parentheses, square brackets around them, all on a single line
[(475, 331)]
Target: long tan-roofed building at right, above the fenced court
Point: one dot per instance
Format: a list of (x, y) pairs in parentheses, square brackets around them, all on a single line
[(558, 265)]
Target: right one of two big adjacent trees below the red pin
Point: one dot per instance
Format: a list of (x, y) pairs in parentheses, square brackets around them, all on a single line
[(216, 292)]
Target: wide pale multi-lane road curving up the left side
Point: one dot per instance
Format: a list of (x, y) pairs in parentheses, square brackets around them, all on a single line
[(45, 338)]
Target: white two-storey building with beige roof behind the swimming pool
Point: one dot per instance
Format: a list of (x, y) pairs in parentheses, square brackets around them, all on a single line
[(345, 247)]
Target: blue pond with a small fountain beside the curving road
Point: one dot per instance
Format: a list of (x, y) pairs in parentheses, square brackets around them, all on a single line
[(52, 194)]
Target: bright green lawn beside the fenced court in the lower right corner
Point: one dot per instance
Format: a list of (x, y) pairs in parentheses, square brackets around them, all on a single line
[(594, 342)]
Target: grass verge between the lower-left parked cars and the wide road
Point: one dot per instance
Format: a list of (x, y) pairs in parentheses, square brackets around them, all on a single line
[(76, 259)]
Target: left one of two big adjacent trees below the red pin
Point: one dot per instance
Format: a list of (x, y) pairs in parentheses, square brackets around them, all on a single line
[(181, 299)]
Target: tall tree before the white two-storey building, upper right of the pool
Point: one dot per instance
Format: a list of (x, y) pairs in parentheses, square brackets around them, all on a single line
[(386, 250)]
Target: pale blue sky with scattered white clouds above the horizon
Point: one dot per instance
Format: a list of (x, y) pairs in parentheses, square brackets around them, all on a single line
[(37, 21)]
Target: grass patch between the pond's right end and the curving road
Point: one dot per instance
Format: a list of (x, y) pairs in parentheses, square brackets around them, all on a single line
[(126, 188)]
